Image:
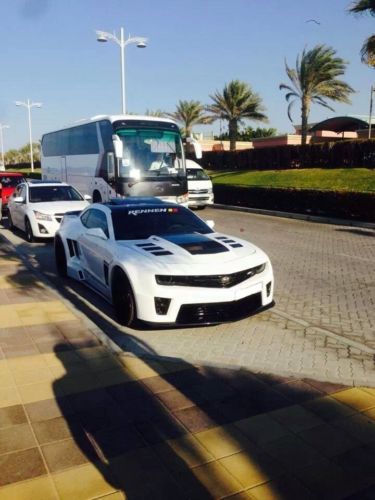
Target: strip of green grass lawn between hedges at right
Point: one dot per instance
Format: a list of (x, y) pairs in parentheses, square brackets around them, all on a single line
[(359, 180)]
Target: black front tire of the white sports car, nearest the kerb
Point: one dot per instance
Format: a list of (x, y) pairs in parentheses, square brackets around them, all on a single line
[(123, 300)]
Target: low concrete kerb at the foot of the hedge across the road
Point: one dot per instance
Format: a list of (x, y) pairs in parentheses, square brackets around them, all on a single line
[(291, 215)]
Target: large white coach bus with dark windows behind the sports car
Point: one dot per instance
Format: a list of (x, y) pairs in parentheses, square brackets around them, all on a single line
[(123, 155)]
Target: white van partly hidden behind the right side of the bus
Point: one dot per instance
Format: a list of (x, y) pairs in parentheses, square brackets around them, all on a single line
[(199, 186)]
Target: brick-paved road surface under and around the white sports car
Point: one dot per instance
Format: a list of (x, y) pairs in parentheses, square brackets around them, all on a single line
[(323, 324)]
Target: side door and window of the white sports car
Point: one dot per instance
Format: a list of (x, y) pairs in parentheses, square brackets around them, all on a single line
[(95, 251)]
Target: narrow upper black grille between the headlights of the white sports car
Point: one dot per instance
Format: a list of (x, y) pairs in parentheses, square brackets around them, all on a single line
[(210, 281)]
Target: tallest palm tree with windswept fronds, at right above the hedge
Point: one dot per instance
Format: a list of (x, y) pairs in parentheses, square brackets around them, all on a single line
[(314, 80)]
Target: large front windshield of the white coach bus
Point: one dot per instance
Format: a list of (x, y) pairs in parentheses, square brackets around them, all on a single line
[(150, 153)]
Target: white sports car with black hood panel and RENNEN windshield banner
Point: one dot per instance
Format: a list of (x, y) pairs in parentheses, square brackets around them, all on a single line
[(160, 263)]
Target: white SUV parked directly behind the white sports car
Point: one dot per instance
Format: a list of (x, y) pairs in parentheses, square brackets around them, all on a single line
[(37, 207)]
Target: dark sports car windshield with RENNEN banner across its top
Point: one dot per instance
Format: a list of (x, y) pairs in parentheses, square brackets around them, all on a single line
[(142, 222)]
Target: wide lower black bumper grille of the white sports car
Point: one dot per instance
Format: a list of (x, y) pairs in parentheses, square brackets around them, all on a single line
[(220, 312)]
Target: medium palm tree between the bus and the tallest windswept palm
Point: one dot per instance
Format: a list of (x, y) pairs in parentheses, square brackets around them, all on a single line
[(236, 103)]
